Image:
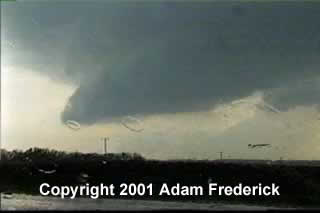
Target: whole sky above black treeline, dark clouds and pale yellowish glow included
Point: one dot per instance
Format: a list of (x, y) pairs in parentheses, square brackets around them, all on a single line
[(194, 74)]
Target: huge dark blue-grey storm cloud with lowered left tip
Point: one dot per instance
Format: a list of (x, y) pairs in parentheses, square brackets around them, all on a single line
[(148, 58)]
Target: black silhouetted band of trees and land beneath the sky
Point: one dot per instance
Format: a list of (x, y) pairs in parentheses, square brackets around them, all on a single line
[(25, 171)]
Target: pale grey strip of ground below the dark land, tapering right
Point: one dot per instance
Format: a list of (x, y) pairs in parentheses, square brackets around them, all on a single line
[(28, 202)]
